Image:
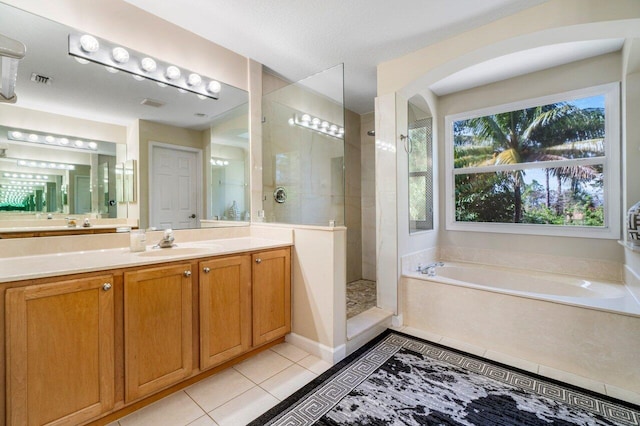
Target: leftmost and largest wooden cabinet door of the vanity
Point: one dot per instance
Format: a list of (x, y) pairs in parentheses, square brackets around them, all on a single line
[(60, 351)]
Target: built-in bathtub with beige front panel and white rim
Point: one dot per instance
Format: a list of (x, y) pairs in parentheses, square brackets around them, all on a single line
[(585, 327)]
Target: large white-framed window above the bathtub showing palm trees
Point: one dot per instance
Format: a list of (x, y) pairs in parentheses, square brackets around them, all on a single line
[(547, 166)]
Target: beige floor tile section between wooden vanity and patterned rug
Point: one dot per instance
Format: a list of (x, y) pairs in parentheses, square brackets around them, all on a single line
[(236, 395)]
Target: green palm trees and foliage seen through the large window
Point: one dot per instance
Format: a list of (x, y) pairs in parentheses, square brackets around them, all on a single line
[(550, 132)]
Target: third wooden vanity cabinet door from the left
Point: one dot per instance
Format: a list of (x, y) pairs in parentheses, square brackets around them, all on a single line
[(225, 309)]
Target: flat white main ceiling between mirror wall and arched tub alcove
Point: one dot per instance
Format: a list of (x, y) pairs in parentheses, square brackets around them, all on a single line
[(297, 38)]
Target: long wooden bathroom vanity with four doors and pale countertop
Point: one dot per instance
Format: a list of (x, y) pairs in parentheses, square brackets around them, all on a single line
[(110, 329)]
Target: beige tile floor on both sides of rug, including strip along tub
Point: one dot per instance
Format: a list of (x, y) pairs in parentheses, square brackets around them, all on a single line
[(239, 394)]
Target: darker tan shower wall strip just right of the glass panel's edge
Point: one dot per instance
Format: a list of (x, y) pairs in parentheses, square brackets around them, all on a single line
[(353, 217)]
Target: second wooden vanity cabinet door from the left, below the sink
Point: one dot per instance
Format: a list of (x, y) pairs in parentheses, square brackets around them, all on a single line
[(157, 328)]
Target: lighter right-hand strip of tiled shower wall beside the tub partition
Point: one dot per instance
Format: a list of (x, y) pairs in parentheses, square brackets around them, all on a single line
[(368, 197)]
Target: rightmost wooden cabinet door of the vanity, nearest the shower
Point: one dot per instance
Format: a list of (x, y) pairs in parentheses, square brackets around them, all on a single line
[(271, 277)]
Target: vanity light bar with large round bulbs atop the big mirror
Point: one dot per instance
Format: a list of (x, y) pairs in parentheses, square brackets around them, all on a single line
[(88, 48)]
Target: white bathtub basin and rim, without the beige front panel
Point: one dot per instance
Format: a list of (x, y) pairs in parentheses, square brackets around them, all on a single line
[(565, 289)]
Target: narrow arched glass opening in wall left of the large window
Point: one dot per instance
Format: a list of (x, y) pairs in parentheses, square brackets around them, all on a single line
[(419, 147)]
